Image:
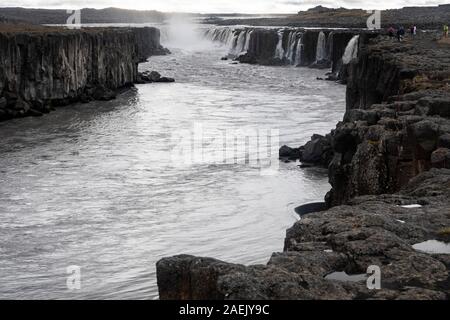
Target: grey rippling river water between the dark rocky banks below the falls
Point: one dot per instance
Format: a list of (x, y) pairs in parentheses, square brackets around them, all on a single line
[(92, 185)]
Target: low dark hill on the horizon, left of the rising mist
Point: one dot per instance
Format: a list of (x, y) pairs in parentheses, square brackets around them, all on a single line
[(107, 15)]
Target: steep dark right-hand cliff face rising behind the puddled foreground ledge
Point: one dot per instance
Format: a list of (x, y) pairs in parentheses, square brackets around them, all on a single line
[(397, 121)]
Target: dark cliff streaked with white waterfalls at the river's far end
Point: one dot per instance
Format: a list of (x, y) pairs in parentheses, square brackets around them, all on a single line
[(285, 46)]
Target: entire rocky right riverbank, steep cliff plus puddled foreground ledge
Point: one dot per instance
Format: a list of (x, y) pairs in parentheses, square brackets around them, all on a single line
[(389, 171)]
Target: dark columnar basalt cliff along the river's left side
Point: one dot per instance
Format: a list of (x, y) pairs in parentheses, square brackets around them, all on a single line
[(41, 68)]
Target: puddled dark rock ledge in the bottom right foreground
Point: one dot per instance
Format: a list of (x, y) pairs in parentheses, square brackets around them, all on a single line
[(322, 249)]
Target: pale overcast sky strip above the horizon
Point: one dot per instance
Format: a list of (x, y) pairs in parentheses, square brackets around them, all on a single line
[(242, 6)]
